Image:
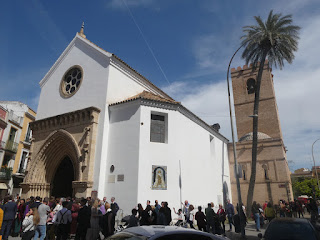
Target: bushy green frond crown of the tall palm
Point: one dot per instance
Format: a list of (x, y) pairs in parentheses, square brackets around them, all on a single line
[(276, 36)]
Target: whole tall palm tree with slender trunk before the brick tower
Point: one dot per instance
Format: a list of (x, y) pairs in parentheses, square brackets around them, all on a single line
[(275, 40)]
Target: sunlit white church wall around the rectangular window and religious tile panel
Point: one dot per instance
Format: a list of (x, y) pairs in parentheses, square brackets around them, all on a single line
[(189, 143)]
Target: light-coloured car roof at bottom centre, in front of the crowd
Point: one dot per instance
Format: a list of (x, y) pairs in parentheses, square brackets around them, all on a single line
[(163, 233)]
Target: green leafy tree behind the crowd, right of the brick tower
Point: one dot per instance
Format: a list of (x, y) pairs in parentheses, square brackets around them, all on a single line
[(307, 186)]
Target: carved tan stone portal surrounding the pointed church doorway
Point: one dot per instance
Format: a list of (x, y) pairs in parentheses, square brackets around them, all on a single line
[(71, 134)]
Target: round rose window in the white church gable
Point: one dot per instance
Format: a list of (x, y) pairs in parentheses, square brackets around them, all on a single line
[(71, 81)]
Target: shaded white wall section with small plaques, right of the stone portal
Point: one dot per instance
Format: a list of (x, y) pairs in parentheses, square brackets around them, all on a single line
[(123, 153)]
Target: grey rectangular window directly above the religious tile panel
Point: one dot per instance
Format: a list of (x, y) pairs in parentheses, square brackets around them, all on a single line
[(158, 128)]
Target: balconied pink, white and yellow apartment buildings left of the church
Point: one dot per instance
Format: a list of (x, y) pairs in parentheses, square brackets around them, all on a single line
[(15, 136)]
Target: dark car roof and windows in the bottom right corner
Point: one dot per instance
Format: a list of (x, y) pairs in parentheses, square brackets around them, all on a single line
[(290, 229)]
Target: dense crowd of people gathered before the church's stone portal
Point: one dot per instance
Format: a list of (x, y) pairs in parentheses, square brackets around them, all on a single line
[(57, 218)]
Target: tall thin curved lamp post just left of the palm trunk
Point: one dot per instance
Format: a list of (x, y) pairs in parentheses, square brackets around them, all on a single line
[(236, 170)]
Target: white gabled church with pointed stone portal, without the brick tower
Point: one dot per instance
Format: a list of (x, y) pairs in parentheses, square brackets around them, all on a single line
[(102, 129)]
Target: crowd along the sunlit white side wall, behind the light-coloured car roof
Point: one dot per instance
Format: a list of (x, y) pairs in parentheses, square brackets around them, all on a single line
[(208, 221)]
